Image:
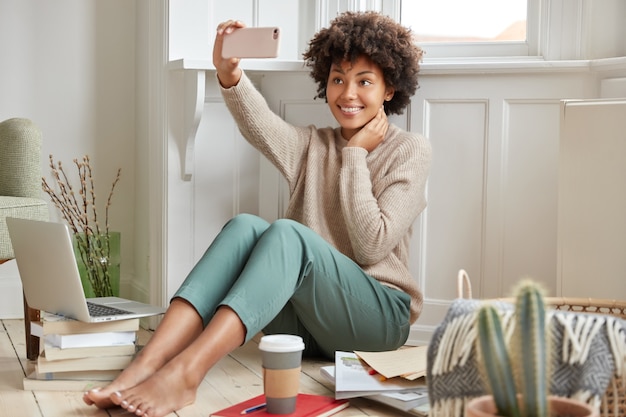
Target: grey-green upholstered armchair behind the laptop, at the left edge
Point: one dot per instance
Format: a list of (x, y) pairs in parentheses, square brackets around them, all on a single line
[(20, 194)]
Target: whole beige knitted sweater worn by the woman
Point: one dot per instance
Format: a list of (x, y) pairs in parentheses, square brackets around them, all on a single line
[(363, 203)]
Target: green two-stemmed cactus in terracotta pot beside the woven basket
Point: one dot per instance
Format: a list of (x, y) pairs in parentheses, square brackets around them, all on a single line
[(517, 372)]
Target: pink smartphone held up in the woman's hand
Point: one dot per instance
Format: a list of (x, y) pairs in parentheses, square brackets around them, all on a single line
[(252, 42)]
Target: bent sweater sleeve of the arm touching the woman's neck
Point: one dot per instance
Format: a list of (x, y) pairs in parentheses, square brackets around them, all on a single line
[(380, 207)]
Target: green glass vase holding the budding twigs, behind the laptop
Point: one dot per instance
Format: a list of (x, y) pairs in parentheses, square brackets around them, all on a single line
[(98, 259)]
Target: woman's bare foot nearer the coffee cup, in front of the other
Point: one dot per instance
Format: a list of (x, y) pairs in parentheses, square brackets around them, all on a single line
[(157, 396)]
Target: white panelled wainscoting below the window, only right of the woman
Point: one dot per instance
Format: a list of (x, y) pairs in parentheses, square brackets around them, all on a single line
[(492, 189)]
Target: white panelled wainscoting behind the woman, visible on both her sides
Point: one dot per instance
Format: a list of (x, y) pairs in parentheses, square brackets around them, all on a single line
[(492, 191)]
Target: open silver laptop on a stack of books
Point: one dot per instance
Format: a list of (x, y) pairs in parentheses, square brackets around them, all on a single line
[(47, 266)]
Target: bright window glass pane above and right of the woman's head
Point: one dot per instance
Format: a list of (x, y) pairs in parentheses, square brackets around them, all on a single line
[(465, 21)]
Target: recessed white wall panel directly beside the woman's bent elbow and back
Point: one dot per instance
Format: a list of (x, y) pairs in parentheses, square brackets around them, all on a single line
[(455, 217)]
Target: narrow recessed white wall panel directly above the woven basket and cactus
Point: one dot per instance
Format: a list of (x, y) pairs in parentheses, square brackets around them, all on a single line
[(529, 192)]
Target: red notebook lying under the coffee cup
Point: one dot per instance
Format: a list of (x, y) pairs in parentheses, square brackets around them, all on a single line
[(307, 405)]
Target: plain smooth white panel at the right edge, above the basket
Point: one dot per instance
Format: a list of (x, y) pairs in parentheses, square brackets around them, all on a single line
[(592, 199)]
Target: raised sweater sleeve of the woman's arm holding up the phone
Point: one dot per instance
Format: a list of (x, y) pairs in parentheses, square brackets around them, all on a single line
[(283, 144)]
